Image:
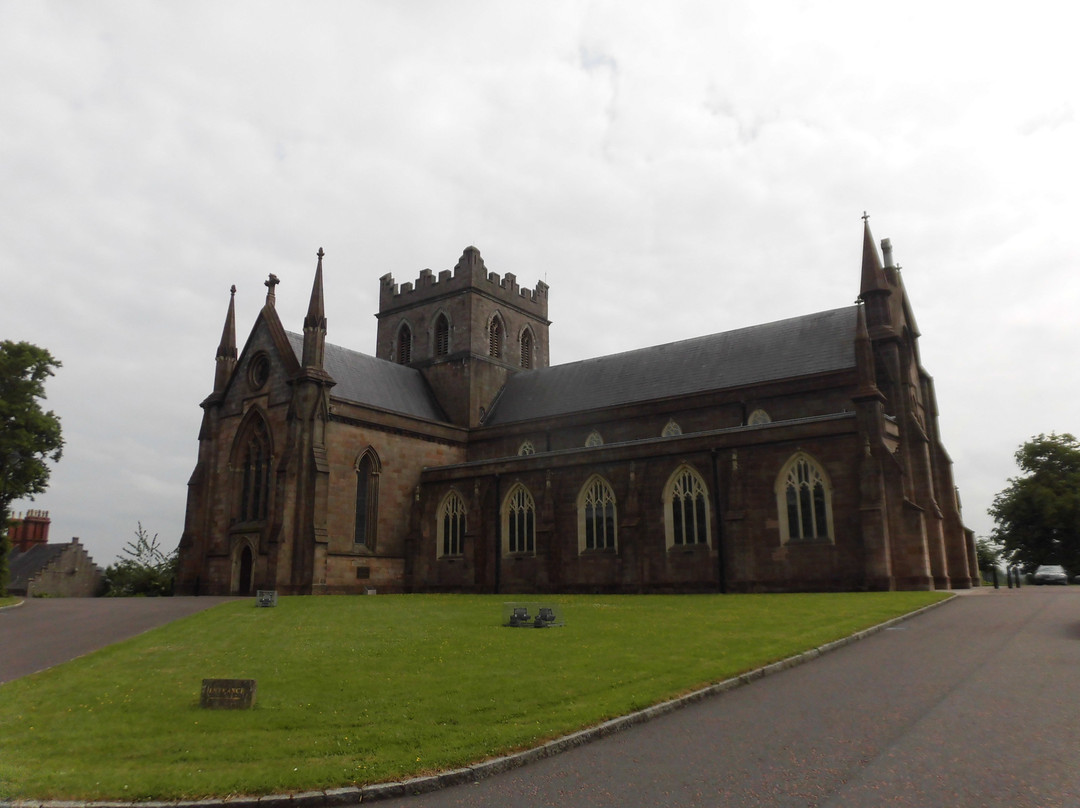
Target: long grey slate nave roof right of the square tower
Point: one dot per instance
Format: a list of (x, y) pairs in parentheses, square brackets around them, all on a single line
[(802, 346)]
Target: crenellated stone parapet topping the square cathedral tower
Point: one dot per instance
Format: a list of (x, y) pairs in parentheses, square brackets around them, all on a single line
[(469, 274)]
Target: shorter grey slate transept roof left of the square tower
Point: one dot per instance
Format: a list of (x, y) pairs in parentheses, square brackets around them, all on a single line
[(375, 383)]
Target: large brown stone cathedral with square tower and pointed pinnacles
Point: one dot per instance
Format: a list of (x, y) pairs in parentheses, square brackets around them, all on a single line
[(791, 456)]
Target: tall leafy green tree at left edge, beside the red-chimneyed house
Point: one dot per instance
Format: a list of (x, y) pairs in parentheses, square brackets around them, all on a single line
[(29, 436)]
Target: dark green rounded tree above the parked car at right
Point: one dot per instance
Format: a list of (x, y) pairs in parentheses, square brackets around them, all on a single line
[(1038, 516)]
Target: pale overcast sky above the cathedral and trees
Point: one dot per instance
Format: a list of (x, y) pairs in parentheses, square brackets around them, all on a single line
[(671, 170)]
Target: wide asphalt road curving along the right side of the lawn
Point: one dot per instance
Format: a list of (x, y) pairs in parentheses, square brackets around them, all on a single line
[(975, 704)]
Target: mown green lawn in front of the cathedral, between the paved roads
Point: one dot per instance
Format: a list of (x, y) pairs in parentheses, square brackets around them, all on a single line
[(354, 691)]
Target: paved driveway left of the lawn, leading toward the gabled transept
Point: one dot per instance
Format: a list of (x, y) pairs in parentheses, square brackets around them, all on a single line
[(47, 631)]
